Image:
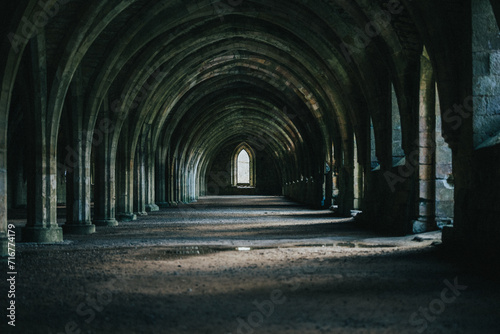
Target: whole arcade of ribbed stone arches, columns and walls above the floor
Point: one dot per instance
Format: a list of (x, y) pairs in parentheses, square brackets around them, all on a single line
[(118, 108)]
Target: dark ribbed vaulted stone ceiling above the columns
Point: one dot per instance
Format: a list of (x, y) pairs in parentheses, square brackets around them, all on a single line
[(296, 75)]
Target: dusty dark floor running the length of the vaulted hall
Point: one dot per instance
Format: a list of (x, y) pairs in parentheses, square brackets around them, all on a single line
[(248, 265)]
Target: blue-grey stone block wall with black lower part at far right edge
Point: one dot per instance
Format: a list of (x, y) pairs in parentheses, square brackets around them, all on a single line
[(481, 230)]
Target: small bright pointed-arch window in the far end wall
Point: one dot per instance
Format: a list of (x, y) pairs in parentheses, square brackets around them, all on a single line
[(243, 166)]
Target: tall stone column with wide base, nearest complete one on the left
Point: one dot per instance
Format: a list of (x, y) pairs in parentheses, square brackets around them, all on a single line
[(42, 224)]
